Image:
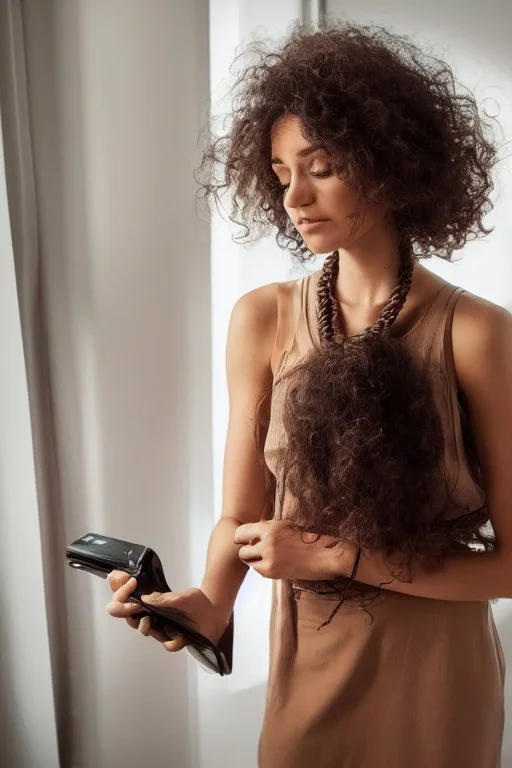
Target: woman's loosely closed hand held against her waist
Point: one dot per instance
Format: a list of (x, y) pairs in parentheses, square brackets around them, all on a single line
[(277, 551)]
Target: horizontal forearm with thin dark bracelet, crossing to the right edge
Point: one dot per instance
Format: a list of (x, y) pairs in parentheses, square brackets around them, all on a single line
[(475, 576)]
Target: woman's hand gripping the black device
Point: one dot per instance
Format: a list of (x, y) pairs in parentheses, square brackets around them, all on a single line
[(193, 601)]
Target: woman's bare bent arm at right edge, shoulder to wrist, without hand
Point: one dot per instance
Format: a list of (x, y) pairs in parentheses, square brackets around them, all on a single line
[(482, 352)]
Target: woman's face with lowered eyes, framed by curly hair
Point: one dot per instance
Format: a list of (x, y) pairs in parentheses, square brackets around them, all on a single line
[(321, 206)]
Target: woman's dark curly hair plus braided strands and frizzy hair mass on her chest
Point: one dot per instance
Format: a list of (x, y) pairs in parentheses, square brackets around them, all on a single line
[(364, 443)]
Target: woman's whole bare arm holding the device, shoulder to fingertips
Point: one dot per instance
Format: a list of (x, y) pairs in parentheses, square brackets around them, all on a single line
[(252, 346)]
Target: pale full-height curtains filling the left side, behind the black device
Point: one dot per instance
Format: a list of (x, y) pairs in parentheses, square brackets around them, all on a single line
[(107, 416)]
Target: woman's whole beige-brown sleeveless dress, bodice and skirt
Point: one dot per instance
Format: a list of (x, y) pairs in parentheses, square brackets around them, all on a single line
[(420, 686)]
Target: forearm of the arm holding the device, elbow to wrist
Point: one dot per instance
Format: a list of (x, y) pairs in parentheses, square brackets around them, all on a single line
[(224, 571)]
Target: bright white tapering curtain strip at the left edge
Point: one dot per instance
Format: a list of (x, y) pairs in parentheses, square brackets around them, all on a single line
[(28, 731)]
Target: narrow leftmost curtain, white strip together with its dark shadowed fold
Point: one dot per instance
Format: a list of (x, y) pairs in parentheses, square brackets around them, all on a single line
[(31, 534)]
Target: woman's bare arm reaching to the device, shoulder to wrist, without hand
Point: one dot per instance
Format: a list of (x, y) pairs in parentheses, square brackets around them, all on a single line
[(245, 497)]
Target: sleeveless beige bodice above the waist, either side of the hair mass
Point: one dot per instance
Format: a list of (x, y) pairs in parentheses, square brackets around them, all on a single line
[(428, 336)]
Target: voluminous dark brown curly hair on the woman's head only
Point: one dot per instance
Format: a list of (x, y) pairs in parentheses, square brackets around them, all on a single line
[(398, 128)]
